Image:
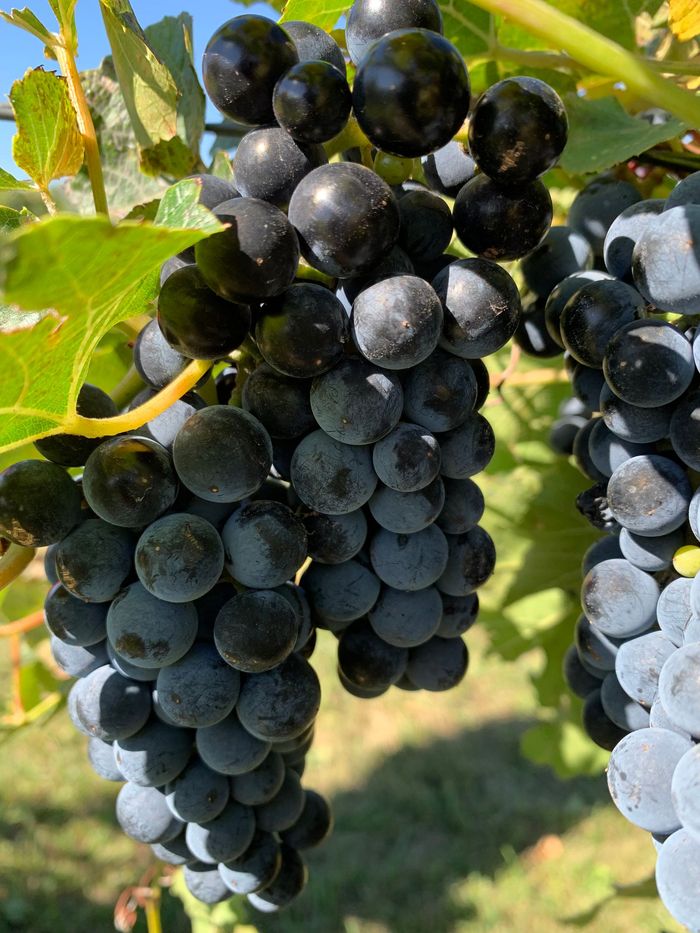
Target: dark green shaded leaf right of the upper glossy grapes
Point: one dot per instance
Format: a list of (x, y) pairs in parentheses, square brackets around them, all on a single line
[(602, 134)]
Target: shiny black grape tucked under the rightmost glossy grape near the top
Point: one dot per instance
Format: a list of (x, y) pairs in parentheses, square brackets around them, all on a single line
[(500, 223)]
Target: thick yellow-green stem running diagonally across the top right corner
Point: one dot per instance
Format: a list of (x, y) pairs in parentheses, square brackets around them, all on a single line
[(597, 53)]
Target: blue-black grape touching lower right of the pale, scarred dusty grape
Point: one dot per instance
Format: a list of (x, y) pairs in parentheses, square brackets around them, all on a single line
[(440, 393)]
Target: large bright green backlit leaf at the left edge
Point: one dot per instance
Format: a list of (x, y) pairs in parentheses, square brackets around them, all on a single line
[(107, 274)]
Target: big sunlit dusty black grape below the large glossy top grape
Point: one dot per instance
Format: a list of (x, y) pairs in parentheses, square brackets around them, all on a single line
[(346, 218)]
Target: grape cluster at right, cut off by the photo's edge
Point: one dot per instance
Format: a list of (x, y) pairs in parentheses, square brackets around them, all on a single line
[(632, 427)]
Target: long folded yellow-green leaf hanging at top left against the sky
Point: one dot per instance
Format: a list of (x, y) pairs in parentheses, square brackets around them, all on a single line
[(150, 93)]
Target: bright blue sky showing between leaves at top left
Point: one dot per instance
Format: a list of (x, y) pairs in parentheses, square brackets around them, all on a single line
[(19, 50)]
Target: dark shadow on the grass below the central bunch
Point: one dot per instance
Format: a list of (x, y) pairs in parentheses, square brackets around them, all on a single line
[(425, 819)]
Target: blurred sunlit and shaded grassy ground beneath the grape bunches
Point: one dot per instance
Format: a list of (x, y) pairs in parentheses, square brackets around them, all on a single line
[(441, 826)]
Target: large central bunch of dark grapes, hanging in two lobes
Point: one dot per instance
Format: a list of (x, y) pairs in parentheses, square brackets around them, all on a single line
[(330, 486)]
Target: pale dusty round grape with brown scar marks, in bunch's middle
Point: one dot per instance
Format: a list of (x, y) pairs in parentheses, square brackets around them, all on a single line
[(397, 322)]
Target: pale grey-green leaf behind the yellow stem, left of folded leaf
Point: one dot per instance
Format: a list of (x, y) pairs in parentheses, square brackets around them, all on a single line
[(126, 186)]
